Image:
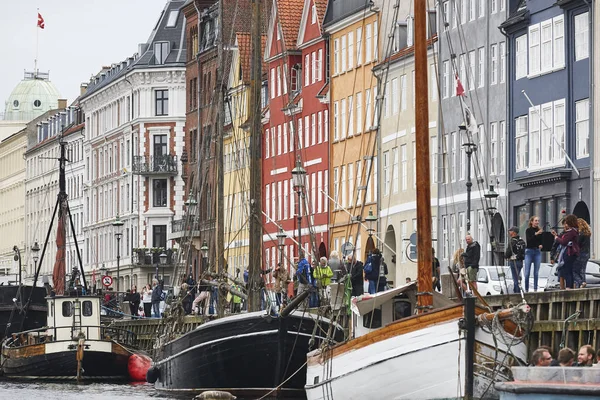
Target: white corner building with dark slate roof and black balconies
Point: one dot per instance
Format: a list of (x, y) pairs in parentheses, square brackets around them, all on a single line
[(131, 155)]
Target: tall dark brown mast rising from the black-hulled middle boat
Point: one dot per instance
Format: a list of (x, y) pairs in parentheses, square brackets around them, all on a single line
[(255, 195)]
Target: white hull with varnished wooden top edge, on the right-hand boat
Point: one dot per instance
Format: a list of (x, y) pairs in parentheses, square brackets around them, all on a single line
[(421, 357)]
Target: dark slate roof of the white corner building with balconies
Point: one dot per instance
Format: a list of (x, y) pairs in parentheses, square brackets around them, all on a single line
[(170, 29)]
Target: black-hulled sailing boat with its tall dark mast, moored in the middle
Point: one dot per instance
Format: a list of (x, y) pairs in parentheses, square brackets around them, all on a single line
[(249, 353)]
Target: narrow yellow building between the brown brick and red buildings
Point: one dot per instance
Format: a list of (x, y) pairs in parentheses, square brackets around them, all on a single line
[(236, 161)]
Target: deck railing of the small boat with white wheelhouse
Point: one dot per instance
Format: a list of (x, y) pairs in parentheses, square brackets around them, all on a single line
[(49, 335)]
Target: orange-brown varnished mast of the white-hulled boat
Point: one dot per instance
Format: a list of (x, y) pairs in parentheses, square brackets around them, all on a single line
[(424, 255)]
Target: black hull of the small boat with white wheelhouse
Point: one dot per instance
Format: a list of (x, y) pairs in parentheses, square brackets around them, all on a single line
[(44, 362)]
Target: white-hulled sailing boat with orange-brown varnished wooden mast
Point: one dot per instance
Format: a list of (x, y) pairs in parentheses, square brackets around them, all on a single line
[(447, 350)]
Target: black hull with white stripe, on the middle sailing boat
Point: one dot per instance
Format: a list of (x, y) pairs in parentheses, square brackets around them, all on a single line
[(245, 354)]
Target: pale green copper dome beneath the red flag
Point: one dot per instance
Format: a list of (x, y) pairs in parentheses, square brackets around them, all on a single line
[(32, 97)]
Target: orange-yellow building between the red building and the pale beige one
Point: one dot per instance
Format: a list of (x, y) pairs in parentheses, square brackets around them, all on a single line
[(353, 41)]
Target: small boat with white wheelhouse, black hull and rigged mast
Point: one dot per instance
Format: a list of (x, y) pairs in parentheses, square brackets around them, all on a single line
[(73, 345)]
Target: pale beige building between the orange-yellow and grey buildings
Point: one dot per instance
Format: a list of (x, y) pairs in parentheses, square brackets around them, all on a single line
[(397, 213)]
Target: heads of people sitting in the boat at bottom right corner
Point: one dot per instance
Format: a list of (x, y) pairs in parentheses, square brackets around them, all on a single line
[(586, 357)]
